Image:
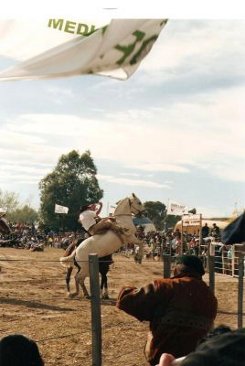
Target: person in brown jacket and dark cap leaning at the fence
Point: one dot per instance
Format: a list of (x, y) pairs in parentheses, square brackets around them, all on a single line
[(181, 309)]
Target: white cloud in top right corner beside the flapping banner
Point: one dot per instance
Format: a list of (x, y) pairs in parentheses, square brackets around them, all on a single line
[(199, 44)]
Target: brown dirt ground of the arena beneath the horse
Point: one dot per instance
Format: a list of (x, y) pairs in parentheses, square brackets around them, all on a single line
[(33, 302)]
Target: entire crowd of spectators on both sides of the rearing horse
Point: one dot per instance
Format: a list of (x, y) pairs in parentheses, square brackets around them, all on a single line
[(156, 243)]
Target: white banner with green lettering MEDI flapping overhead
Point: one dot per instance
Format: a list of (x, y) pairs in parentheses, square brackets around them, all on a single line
[(59, 48)]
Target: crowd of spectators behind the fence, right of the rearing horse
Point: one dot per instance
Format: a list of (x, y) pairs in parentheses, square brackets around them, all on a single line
[(170, 242)]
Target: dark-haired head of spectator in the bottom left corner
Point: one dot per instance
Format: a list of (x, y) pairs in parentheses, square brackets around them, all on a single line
[(18, 350)]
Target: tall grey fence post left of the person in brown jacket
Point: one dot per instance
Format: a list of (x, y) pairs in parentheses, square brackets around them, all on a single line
[(95, 310)]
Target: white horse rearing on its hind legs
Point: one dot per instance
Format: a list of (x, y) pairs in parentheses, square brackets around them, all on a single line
[(108, 242)]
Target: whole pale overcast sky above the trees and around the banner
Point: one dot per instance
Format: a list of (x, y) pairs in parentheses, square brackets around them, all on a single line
[(173, 131)]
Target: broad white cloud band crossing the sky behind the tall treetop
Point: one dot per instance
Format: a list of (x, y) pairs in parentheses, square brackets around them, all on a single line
[(202, 133)]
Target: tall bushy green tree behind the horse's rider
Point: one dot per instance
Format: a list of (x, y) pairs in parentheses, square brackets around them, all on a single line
[(72, 184)]
